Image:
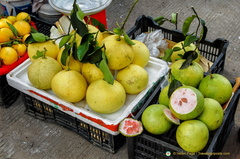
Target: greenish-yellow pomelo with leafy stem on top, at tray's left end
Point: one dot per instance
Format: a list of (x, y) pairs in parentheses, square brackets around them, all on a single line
[(42, 70)]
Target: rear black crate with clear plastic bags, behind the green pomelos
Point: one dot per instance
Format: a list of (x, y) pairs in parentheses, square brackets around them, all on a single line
[(214, 51)]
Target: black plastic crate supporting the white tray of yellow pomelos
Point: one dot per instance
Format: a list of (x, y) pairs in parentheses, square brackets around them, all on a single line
[(42, 111)]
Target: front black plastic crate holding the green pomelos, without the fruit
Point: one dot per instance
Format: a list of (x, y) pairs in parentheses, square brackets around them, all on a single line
[(151, 146)]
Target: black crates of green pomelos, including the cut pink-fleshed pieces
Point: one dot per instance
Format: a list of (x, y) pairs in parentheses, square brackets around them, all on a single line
[(193, 121)]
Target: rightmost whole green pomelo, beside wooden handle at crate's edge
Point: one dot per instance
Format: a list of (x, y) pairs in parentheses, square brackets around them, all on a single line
[(216, 86)]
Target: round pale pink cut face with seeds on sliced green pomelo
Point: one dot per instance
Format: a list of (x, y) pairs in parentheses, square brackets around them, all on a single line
[(184, 100)]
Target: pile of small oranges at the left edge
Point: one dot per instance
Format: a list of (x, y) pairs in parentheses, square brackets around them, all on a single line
[(12, 45)]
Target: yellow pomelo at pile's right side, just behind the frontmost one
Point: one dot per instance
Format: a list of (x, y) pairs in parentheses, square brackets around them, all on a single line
[(134, 78)]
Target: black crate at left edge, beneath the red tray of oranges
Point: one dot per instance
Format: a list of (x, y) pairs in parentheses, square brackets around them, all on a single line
[(8, 94)]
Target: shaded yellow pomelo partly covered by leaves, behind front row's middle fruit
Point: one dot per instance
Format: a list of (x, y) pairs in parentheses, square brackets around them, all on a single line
[(71, 62)]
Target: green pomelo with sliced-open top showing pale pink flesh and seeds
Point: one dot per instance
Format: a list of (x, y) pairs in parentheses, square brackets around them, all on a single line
[(186, 102)]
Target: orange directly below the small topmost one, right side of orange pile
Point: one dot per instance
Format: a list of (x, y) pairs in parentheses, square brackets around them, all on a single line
[(22, 27)]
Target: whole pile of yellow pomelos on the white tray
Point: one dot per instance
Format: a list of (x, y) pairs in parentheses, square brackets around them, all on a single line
[(79, 81)]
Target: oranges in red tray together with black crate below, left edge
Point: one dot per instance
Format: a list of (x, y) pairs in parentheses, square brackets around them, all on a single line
[(13, 51)]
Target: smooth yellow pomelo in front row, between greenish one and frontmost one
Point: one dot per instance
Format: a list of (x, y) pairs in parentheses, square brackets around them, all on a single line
[(69, 85)]
